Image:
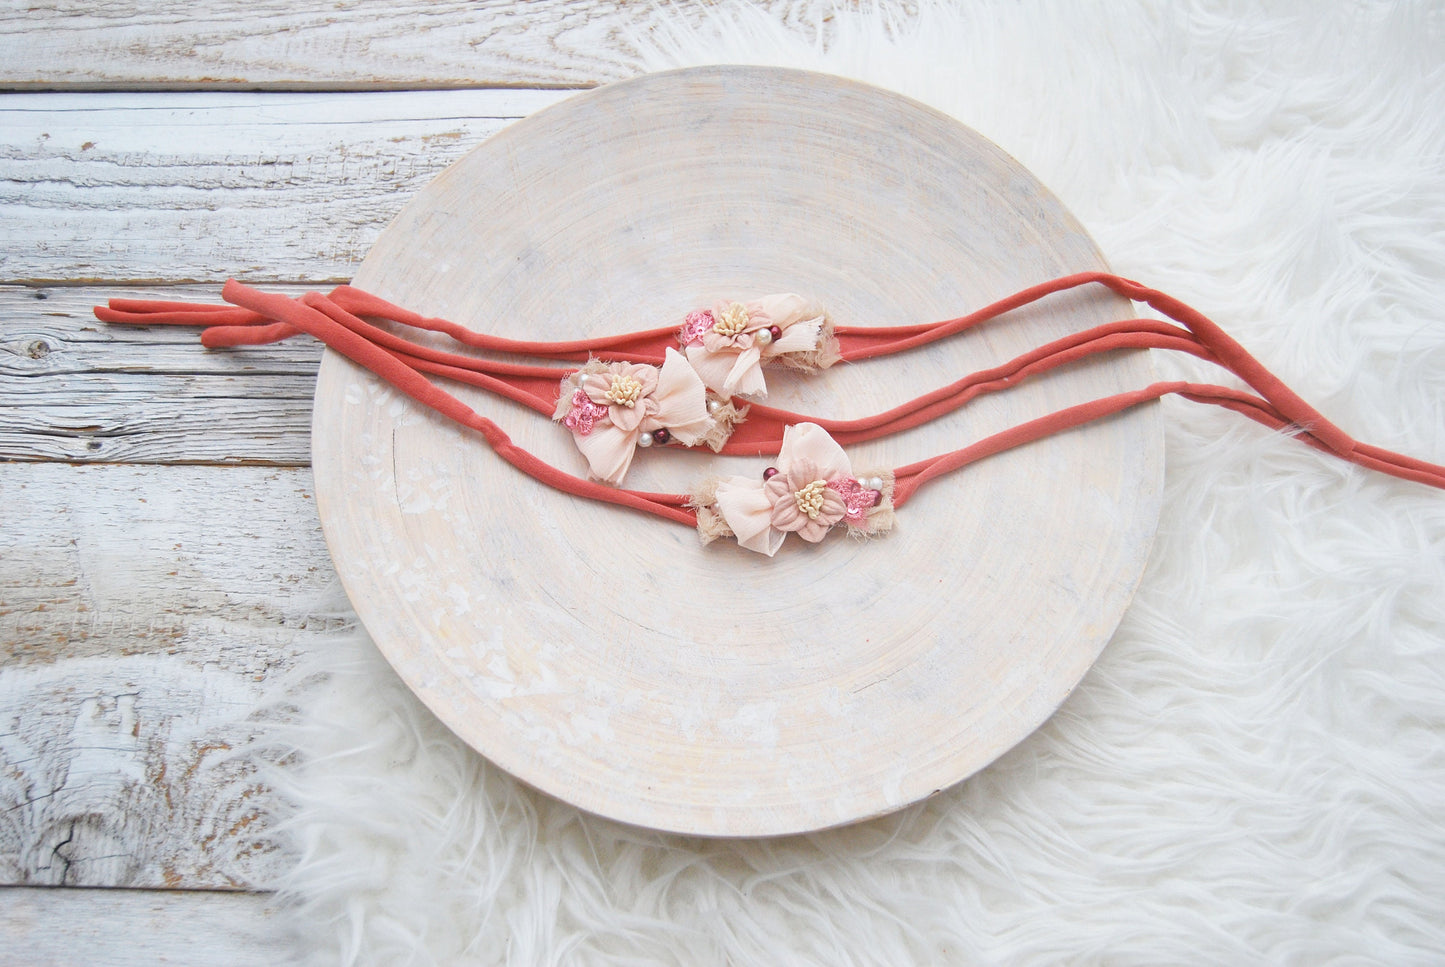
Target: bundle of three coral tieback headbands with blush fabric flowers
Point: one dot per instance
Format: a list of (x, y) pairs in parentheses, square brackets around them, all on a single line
[(697, 384)]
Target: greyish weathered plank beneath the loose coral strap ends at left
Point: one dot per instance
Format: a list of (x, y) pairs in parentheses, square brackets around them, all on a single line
[(74, 390)]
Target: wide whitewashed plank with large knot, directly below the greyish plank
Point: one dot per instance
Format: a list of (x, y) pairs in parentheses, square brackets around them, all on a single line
[(147, 615)]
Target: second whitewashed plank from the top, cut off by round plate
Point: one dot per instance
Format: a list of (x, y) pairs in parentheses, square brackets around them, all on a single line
[(265, 187)]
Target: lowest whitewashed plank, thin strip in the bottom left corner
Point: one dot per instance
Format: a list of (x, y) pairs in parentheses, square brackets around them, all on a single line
[(139, 929)]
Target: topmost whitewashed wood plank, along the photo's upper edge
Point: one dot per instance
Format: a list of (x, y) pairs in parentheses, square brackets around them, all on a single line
[(336, 46)]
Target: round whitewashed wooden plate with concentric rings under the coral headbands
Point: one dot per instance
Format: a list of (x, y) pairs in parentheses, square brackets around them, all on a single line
[(609, 658)]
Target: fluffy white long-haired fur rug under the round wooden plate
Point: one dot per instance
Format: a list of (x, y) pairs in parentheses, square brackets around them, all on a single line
[(1255, 771)]
